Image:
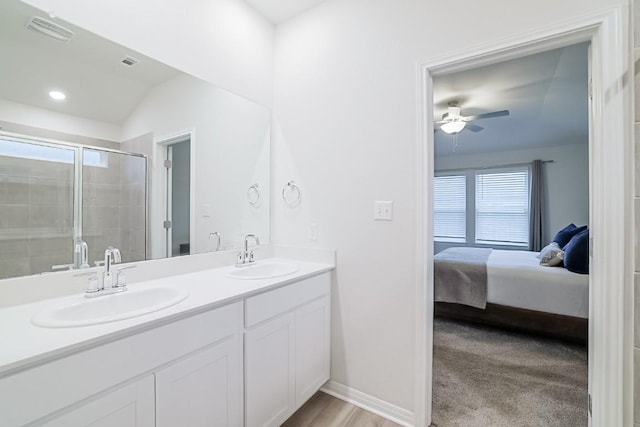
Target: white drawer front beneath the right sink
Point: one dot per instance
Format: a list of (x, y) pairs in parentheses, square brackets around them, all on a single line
[(272, 303)]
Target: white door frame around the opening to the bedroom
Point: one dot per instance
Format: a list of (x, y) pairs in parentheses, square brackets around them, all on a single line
[(610, 204)]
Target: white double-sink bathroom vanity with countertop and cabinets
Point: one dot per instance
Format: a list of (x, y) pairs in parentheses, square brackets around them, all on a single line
[(235, 352)]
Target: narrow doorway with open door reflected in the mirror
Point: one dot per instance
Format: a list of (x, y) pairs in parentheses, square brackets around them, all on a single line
[(178, 209)]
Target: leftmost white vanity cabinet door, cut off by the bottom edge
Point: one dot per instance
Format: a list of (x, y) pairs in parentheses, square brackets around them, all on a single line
[(129, 406)]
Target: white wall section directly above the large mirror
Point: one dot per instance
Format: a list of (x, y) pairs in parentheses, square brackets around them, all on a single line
[(225, 42)]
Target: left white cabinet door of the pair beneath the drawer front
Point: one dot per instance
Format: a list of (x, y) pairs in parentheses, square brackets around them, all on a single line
[(270, 372)]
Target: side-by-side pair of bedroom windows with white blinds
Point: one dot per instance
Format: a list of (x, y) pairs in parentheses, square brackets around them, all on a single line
[(482, 207)]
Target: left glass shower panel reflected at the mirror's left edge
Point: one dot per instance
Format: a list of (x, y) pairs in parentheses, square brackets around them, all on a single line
[(36, 207)]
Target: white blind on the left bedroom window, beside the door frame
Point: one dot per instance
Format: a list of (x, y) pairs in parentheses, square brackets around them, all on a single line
[(449, 208)]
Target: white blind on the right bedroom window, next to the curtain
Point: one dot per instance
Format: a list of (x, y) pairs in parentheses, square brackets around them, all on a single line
[(502, 207)]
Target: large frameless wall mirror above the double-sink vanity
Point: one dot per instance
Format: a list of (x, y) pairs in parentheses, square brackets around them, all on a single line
[(137, 156)]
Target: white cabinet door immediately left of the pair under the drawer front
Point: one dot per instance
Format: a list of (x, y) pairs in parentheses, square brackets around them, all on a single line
[(203, 389)]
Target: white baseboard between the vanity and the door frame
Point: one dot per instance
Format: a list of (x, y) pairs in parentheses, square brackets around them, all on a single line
[(369, 403)]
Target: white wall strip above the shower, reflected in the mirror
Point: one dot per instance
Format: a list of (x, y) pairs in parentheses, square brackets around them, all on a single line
[(46, 119)]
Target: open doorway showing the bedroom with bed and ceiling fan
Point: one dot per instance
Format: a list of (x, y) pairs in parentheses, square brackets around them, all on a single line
[(496, 358)]
